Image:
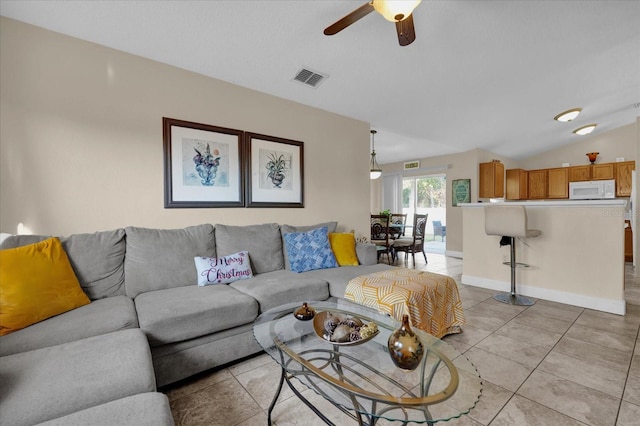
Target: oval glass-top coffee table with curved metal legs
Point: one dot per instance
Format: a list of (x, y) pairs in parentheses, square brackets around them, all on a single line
[(361, 379)]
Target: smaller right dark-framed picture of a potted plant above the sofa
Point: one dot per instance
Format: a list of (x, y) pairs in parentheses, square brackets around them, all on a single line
[(274, 171)]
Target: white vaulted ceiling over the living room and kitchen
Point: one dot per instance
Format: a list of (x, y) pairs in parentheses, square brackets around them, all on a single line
[(481, 74)]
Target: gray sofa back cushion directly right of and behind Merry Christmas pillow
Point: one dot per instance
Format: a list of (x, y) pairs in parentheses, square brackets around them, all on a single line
[(263, 242)]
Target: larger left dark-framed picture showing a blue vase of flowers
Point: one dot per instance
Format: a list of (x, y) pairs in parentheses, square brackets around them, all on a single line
[(203, 165)]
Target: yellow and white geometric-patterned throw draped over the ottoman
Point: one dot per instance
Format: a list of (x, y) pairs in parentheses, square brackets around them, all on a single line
[(431, 300)]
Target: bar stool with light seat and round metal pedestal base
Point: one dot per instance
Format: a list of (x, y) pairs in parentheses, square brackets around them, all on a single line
[(509, 222)]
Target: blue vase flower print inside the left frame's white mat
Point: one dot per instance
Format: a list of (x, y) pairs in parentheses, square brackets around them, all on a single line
[(205, 163)]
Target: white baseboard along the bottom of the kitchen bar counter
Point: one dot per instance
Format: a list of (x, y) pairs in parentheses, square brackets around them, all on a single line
[(617, 307)]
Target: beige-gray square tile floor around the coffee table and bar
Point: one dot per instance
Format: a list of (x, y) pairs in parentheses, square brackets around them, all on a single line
[(548, 364)]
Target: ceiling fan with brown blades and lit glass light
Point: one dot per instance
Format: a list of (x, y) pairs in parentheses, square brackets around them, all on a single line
[(398, 11)]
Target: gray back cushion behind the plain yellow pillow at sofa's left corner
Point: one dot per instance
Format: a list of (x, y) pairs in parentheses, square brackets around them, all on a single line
[(97, 259)]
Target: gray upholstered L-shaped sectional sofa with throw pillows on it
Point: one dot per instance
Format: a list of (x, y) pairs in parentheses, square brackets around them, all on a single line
[(148, 324)]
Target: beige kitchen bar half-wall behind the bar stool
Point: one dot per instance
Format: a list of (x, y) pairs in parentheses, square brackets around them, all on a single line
[(578, 259)]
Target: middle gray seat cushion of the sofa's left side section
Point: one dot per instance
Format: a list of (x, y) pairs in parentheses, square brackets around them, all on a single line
[(52, 382)]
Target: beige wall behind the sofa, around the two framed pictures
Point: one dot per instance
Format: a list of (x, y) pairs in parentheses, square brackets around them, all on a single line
[(81, 140)]
